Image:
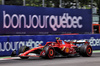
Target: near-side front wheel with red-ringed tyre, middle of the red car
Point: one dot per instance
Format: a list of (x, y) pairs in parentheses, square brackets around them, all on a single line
[(49, 52)]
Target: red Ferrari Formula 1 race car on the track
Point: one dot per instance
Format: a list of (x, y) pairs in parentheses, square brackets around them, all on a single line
[(57, 48)]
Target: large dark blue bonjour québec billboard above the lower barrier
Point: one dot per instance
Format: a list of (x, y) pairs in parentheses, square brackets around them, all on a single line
[(42, 20)]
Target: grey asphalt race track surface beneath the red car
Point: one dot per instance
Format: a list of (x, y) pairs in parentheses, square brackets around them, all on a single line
[(94, 60)]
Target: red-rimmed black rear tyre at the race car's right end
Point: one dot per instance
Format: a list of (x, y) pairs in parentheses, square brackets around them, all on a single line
[(86, 50)]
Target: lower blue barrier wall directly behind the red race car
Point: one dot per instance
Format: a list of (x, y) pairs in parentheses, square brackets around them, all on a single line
[(10, 43)]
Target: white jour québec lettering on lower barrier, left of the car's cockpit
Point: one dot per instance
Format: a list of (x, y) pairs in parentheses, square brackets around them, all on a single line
[(7, 46)]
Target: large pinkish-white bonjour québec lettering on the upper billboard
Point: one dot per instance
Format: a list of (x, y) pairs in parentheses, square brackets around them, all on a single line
[(35, 21)]
